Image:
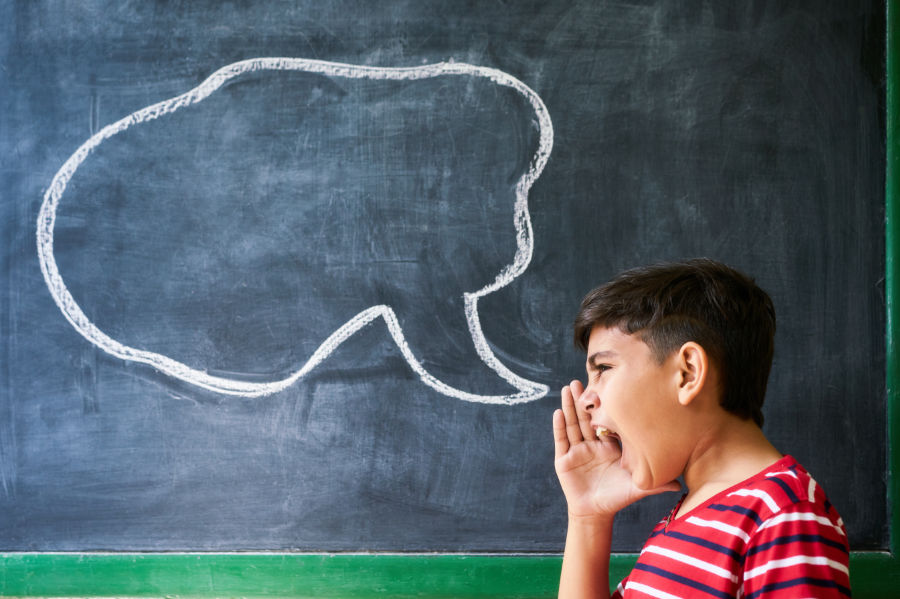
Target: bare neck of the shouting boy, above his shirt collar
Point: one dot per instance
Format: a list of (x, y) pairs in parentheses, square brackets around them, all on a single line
[(724, 455)]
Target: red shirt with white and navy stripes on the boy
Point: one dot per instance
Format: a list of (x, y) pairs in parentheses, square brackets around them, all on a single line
[(775, 535)]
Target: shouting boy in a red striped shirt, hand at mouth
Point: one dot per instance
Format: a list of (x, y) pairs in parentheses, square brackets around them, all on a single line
[(678, 357)]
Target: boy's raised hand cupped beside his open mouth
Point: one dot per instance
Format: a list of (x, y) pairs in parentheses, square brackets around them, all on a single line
[(589, 469)]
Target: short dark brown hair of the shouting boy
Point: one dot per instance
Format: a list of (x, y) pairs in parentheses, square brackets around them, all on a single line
[(666, 305)]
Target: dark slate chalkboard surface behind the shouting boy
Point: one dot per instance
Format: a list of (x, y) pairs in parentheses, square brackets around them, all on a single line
[(301, 276)]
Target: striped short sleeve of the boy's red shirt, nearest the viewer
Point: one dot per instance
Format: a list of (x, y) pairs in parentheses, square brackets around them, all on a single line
[(799, 552)]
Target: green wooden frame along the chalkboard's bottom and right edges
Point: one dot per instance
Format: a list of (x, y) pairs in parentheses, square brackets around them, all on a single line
[(203, 575)]
